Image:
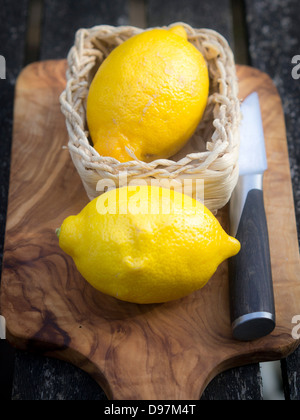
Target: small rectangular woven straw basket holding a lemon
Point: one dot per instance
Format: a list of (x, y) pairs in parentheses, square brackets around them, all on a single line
[(209, 157)]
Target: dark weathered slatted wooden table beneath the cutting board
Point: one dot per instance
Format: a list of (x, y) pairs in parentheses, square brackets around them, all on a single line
[(273, 39)]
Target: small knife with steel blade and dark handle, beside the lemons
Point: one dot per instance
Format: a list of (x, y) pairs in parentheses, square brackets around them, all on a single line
[(250, 275)]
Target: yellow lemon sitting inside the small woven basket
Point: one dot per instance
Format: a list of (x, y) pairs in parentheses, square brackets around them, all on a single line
[(148, 95)]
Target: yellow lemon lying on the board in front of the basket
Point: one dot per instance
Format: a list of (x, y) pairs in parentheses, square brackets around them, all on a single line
[(146, 244)]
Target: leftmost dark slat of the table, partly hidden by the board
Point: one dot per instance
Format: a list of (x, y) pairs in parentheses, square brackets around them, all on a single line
[(13, 18)]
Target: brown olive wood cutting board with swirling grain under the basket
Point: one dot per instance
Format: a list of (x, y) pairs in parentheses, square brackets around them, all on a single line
[(160, 351)]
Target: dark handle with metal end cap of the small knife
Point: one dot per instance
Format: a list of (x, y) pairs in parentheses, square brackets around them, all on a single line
[(250, 274)]
